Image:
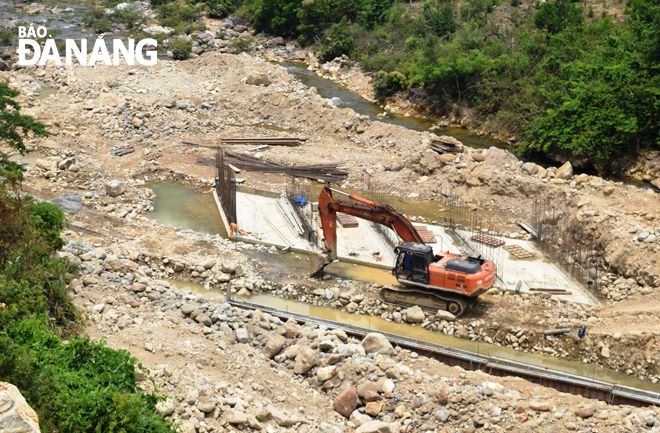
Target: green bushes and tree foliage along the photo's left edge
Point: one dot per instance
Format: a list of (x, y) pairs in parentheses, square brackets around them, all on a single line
[(76, 385)]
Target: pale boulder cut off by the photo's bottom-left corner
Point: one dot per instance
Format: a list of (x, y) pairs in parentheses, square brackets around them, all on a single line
[(16, 416)]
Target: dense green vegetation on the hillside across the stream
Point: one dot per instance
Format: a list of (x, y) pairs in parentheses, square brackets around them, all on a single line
[(557, 78)]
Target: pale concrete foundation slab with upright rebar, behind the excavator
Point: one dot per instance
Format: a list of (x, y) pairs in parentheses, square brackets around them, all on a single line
[(264, 223)]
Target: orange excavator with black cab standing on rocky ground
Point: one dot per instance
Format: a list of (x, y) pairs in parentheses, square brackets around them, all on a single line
[(433, 281)]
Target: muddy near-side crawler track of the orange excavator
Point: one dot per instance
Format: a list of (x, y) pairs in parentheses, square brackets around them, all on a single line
[(425, 299)]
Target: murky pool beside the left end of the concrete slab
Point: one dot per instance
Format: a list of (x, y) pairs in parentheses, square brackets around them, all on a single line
[(183, 207)]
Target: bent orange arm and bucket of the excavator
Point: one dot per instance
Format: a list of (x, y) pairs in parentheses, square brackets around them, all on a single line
[(366, 209)]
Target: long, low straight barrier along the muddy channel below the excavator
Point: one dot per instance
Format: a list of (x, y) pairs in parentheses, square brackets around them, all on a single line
[(564, 382)]
